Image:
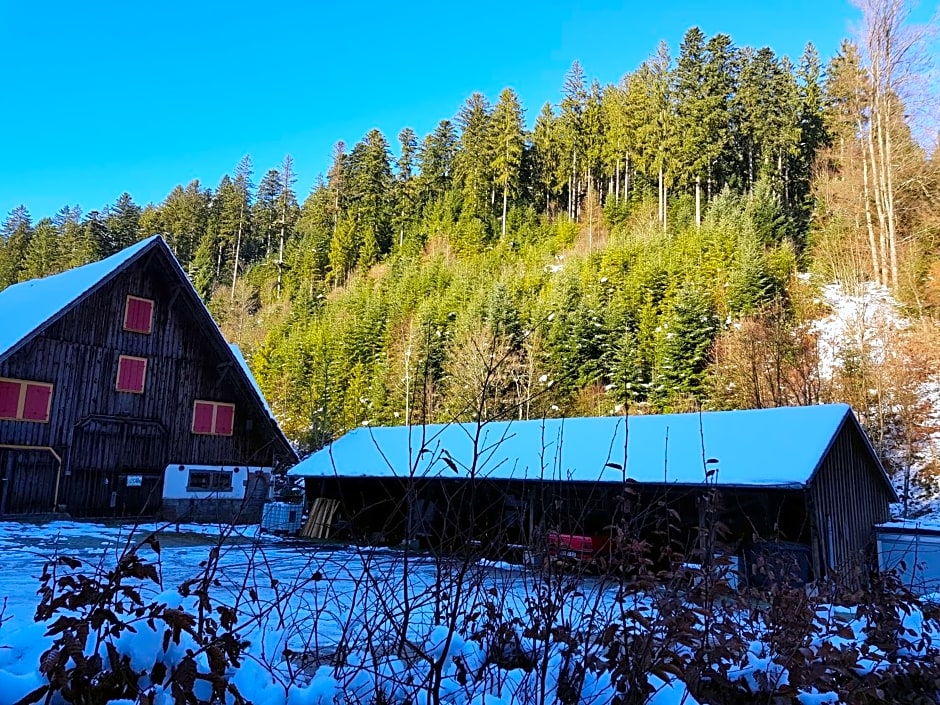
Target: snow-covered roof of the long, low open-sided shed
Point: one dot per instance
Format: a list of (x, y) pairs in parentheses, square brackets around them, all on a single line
[(766, 447)]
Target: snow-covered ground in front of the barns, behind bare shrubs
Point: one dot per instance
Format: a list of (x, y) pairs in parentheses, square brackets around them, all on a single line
[(318, 624)]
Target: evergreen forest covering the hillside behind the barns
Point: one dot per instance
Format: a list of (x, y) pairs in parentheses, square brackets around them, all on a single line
[(654, 245)]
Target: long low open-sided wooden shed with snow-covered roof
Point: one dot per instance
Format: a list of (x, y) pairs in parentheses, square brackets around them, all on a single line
[(802, 477)]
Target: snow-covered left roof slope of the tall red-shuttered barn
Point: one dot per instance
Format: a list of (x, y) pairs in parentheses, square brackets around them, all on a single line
[(29, 305)]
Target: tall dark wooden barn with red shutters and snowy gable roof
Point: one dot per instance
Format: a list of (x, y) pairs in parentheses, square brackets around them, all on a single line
[(110, 374)]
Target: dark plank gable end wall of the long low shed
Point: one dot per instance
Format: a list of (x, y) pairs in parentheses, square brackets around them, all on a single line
[(849, 497)]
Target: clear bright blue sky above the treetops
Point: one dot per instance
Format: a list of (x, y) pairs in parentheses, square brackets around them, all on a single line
[(103, 97)]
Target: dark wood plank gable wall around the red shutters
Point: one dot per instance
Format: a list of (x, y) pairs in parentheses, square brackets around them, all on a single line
[(99, 431)]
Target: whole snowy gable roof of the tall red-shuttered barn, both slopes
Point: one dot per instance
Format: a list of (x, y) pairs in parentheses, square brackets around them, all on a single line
[(28, 308)]
